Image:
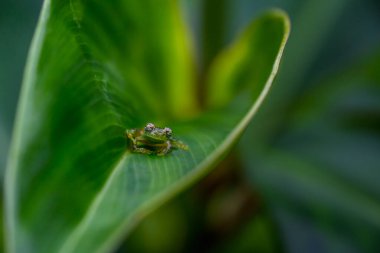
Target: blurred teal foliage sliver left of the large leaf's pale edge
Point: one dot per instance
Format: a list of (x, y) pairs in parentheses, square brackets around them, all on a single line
[(15, 33)]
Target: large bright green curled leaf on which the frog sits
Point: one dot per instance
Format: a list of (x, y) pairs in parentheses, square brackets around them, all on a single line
[(95, 69)]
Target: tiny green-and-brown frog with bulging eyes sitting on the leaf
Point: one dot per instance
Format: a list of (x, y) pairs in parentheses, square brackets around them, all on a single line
[(153, 140)]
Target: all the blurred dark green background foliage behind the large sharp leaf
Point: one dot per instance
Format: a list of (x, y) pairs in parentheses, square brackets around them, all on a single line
[(305, 176)]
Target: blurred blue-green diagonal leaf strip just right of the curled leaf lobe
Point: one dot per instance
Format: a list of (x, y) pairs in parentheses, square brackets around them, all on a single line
[(313, 25)]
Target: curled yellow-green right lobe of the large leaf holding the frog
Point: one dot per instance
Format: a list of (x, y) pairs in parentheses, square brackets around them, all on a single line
[(246, 62)]
